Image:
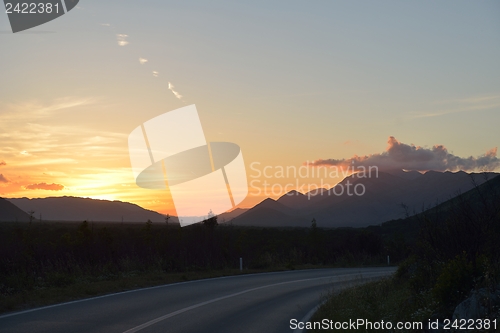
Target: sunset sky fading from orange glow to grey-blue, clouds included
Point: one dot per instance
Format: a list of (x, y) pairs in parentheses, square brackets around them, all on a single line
[(290, 82)]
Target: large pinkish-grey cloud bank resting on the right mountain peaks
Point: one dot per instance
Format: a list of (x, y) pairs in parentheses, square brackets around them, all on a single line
[(399, 155)]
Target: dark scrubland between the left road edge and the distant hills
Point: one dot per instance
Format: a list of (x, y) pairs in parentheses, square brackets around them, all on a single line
[(47, 262)]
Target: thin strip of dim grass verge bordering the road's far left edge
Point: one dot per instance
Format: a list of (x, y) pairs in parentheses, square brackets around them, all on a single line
[(91, 286)]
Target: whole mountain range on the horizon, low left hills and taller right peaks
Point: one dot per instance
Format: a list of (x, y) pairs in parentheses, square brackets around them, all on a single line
[(382, 200)]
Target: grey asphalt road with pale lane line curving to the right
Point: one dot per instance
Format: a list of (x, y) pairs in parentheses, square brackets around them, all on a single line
[(246, 303)]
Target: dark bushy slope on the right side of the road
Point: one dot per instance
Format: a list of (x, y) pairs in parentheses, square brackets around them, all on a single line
[(456, 255)]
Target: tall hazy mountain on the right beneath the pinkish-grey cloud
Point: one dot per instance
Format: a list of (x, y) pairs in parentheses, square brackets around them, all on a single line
[(382, 200)]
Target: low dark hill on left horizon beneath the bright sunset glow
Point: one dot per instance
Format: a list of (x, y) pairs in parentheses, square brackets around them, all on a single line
[(80, 209)]
